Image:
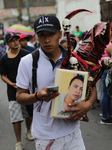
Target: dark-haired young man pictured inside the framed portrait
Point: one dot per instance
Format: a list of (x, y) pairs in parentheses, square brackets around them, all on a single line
[(75, 90)]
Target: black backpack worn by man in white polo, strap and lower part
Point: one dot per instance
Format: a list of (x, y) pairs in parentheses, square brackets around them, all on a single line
[(35, 55)]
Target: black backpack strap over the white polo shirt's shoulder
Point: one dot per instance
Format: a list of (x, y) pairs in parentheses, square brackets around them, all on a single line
[(35, 55)]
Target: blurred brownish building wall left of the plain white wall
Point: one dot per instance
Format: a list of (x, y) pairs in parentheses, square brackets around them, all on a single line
[(16, 11)]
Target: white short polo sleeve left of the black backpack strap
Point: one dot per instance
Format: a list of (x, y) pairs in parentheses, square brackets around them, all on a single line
[(24, 73)]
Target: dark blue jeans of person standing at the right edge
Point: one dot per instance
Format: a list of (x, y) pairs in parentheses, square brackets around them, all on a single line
[(105, 99)]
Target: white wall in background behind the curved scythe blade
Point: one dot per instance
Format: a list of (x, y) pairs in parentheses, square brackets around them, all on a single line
[(85, 20)]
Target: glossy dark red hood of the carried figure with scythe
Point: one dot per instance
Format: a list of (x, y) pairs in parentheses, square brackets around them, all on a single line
[(94, 42)]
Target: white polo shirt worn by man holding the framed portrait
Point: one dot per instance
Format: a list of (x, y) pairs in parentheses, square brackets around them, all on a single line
[(44, 127)]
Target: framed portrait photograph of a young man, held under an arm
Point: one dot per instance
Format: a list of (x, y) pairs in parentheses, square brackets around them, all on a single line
[(72, 87)]
